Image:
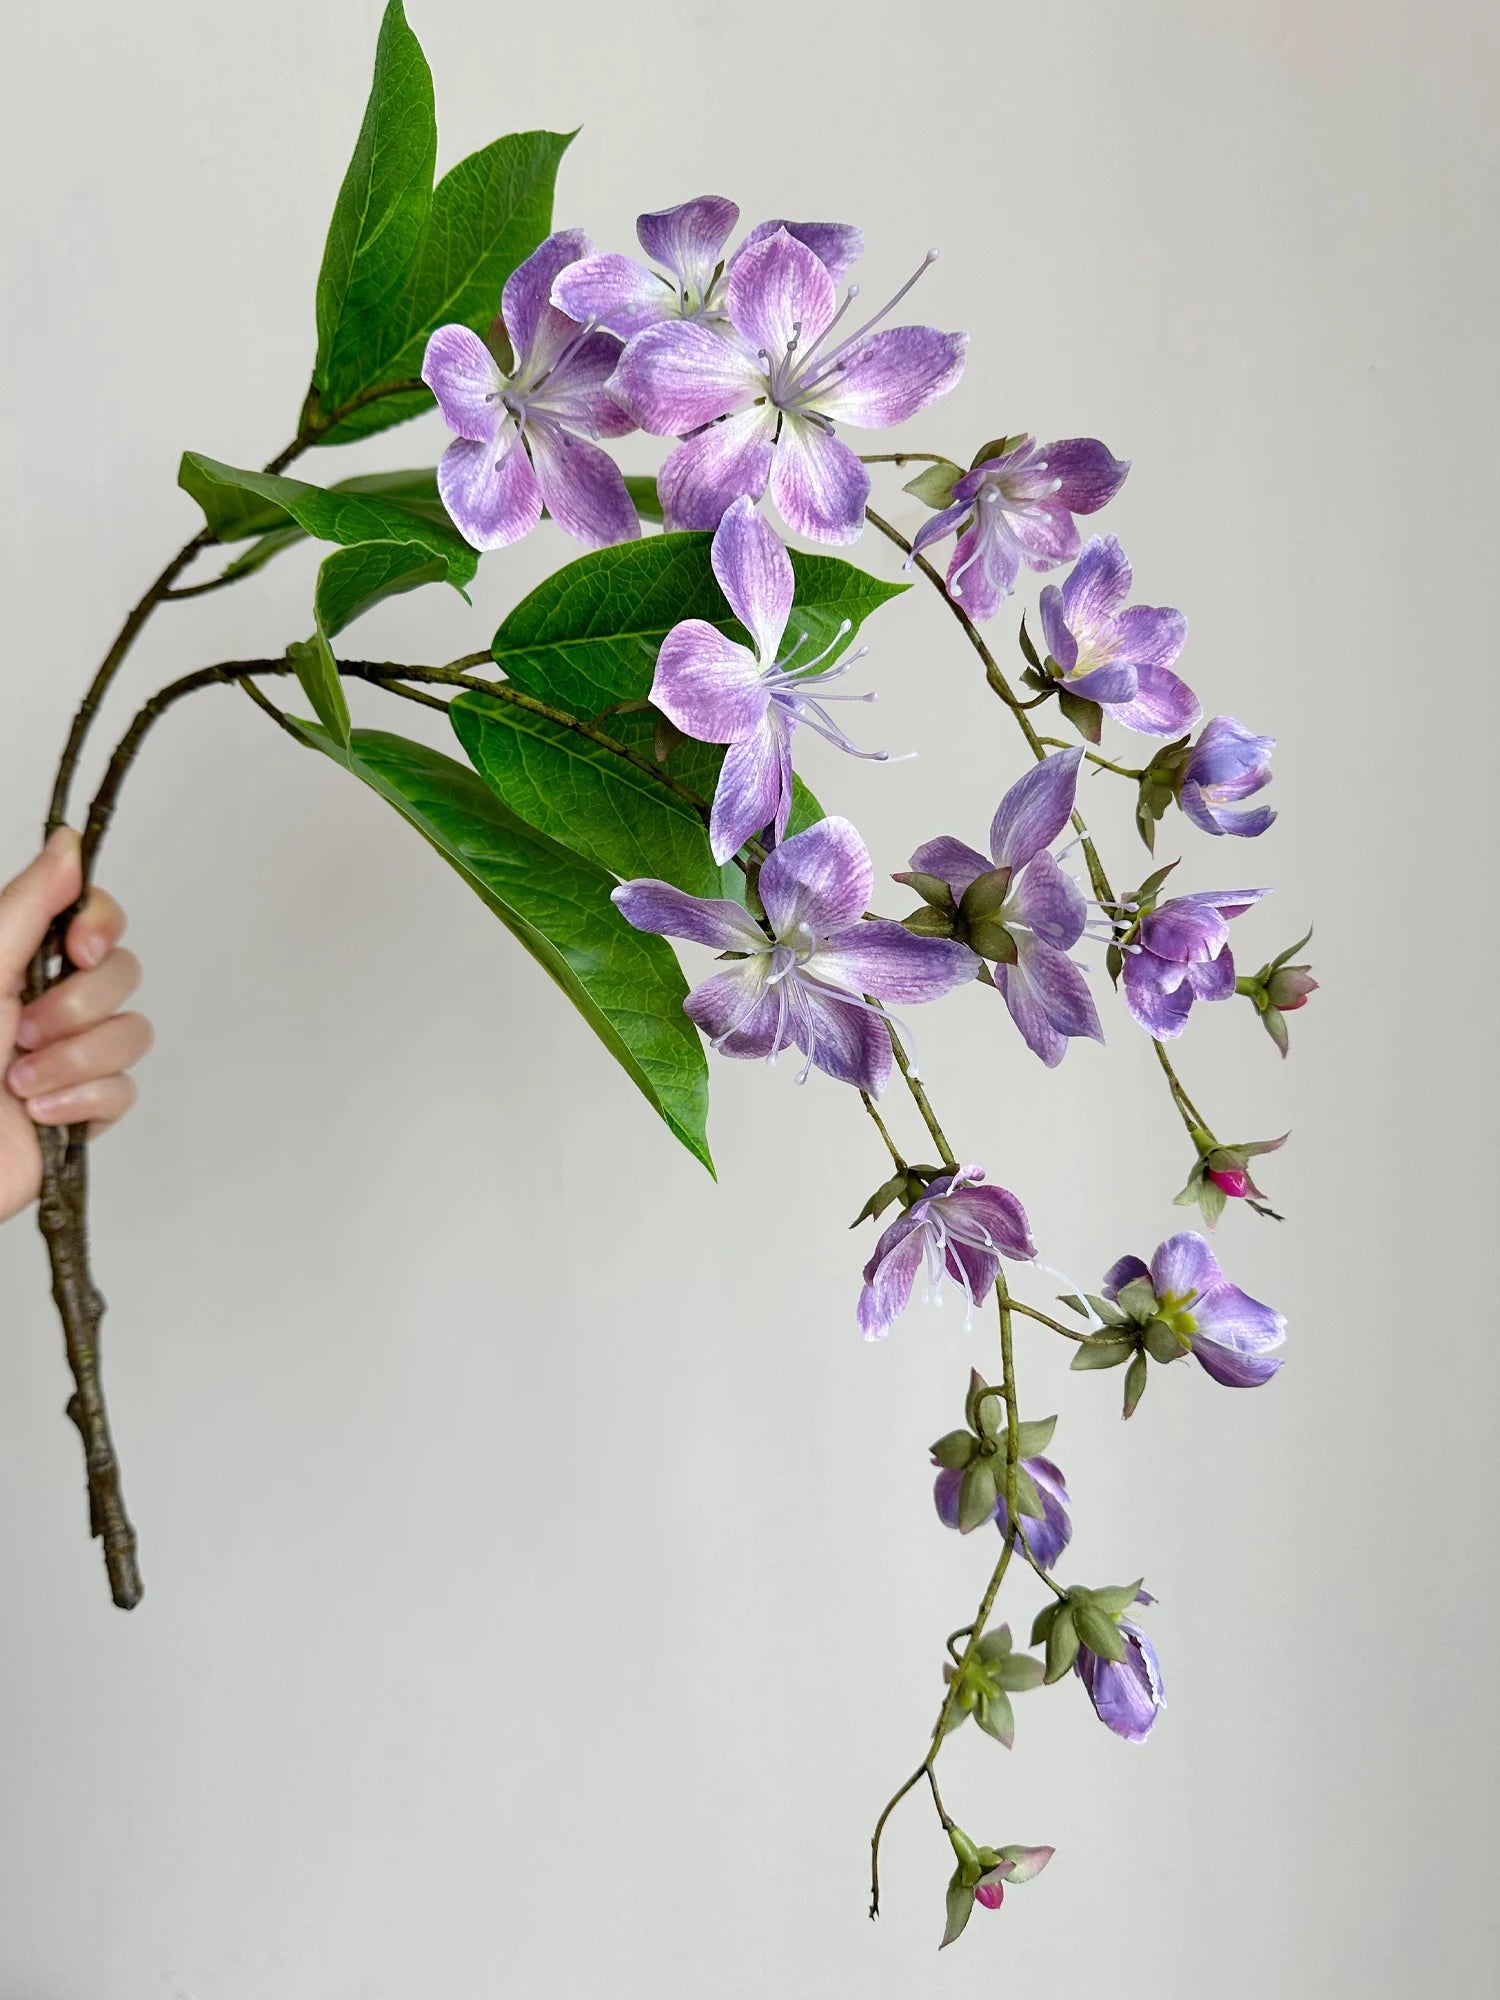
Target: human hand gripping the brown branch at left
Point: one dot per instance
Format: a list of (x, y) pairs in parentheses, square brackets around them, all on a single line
[(71, 1047)]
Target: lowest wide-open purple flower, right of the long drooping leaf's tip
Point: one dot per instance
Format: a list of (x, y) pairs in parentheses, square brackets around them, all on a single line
[(807, 979)]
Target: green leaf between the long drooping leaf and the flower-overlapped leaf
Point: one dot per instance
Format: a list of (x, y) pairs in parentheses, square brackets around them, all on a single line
[(585, 797)]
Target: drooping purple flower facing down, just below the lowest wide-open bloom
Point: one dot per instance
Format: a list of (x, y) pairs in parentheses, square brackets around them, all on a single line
[(959, 1227)]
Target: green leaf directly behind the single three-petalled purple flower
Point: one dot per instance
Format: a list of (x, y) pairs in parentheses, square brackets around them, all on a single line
[(589, 637)]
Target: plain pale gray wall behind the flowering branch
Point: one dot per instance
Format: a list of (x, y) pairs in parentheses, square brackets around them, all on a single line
[(543, 1579)]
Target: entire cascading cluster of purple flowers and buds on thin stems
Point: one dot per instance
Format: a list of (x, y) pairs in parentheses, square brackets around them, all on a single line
[(743, 355)]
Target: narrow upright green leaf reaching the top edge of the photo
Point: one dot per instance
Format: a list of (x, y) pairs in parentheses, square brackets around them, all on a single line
[(381, 213)]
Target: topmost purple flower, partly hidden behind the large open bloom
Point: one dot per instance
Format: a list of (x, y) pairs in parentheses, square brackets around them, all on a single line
[(689, 243)]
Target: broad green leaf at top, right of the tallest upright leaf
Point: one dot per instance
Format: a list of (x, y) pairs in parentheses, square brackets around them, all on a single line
[(485, 219)]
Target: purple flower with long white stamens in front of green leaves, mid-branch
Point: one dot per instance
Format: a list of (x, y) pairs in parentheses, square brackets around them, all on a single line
[(749, 697)]
